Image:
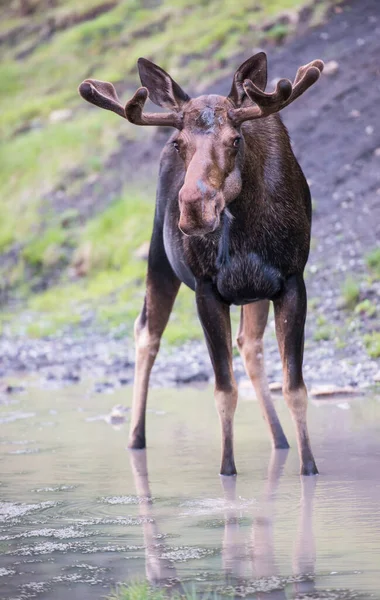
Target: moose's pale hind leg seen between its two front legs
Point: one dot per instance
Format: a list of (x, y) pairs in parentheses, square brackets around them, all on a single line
[(253, 320)]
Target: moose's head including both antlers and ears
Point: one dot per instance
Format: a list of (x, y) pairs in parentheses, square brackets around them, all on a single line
[(210, 138)]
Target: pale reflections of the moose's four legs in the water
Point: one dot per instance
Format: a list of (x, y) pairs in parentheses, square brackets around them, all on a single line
[(255, 550)]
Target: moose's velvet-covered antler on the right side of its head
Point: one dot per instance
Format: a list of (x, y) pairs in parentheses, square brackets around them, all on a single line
[(285, 93)]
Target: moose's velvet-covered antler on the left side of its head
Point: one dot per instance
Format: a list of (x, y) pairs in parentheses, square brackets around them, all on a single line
[(103, 94)]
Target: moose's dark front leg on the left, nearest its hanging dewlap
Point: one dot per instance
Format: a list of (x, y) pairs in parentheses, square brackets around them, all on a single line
[(215, 318)]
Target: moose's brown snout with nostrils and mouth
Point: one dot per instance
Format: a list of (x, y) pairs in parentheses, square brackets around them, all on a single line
[(199, 213)]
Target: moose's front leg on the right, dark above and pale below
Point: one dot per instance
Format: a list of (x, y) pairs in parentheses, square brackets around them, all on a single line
[(290, 315)]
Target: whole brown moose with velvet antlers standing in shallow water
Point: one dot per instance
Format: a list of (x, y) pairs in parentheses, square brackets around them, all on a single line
[(232, 222)]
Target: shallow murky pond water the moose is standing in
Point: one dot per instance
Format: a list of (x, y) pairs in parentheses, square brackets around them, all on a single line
[(80, 513)]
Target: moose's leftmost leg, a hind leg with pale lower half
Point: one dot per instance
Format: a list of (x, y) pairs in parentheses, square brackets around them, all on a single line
[(162, 289)]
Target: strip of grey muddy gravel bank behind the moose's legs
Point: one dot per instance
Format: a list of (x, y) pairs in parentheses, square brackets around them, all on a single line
[(110, 362)]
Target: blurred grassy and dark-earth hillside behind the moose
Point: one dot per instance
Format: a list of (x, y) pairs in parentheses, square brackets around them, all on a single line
[(76, 211)]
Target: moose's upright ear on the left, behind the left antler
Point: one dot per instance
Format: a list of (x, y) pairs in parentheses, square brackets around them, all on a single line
[(163, 90)]
